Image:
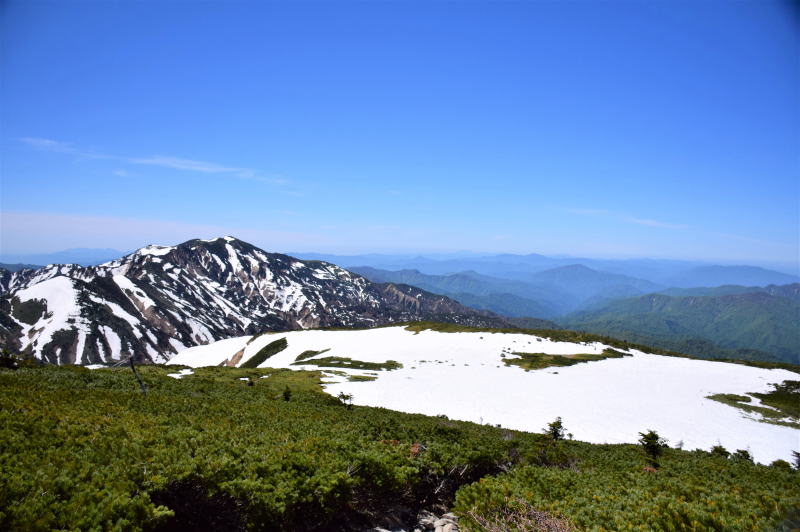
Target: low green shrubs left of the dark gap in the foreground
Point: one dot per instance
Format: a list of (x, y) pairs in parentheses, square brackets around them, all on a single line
[(82, 449)]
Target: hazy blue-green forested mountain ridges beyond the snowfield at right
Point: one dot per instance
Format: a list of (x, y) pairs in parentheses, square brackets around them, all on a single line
[(750, 322)]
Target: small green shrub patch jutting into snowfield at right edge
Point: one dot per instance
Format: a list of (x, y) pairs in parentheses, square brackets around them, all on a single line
[(782, 403)]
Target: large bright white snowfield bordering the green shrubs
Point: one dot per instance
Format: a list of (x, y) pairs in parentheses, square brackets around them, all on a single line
[(462, 375)]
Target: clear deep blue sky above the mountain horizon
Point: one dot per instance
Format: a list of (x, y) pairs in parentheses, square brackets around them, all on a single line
[(637, 128)]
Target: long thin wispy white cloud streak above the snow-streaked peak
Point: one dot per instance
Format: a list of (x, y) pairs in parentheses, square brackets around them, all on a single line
[(162, 161)]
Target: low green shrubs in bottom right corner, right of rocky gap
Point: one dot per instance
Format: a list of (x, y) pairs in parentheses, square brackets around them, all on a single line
[(616, 488)]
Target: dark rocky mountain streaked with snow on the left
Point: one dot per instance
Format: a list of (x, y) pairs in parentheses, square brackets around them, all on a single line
[(160, 300)]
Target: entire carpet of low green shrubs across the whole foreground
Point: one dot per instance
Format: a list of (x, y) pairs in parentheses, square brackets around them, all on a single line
[(83, 450)]
